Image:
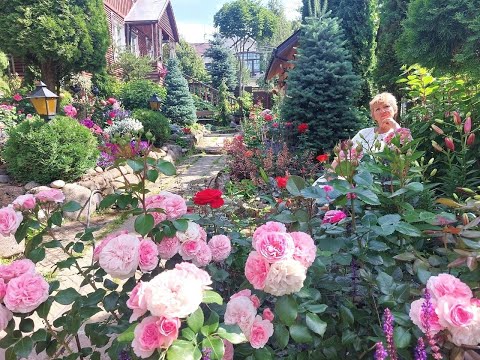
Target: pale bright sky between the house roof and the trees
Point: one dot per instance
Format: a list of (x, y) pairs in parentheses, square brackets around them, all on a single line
[(195, 17)]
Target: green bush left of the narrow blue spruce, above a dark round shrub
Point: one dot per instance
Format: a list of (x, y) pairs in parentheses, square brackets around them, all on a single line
[(135, 94)]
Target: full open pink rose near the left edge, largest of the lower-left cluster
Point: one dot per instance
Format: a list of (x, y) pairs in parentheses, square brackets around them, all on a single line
[(25, 293)]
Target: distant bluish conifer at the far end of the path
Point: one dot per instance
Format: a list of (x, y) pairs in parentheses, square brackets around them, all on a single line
[(223, 65)]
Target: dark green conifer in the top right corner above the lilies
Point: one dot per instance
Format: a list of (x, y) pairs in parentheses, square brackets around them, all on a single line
[(444, 34)]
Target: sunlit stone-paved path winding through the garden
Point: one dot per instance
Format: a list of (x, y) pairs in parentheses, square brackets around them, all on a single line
[(194, 172)]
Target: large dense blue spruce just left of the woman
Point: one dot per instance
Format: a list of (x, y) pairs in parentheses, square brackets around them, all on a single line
[(322, 87)]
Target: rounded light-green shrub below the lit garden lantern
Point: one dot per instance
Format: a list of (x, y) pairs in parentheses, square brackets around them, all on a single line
[(43, 152)]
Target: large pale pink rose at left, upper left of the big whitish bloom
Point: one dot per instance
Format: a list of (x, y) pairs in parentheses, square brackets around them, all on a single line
[(120, 257)]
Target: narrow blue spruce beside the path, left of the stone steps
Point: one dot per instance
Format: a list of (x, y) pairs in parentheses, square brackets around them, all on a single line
[(179, 106)]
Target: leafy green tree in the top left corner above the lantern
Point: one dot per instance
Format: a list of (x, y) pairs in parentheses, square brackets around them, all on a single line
[(60, 37)]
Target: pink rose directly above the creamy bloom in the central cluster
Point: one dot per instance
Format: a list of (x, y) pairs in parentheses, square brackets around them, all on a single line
[(275, 246)]
